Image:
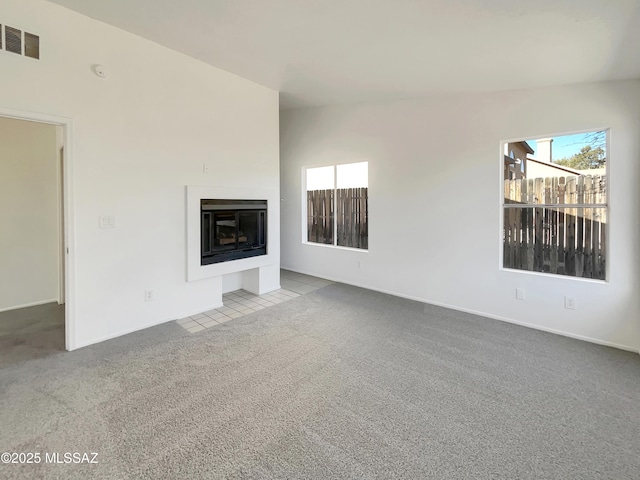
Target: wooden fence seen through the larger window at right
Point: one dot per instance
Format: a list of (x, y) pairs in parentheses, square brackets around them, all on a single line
[(556, 225)]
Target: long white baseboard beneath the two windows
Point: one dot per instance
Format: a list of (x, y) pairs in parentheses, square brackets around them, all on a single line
[(476, 312)]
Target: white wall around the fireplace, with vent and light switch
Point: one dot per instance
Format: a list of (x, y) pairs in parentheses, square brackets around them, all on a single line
[(139, 137)]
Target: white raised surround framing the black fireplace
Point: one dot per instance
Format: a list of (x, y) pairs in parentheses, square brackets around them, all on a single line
[(258, 272)]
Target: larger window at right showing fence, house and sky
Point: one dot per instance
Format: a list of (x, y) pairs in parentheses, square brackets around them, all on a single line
[(555, 213)]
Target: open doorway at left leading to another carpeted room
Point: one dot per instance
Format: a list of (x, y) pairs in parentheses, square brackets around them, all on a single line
[(34, 198)]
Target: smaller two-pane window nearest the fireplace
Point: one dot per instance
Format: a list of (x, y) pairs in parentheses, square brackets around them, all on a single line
[(338, 205)]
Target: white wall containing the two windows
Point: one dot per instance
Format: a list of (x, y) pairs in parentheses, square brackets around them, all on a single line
[(435, 167)]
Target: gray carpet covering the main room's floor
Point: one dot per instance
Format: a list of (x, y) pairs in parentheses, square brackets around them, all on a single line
[(339, 383)]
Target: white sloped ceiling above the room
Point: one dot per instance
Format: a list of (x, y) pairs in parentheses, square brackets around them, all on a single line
[(321, 52)]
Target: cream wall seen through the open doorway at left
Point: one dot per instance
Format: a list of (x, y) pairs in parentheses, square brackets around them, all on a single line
[(28, 214)]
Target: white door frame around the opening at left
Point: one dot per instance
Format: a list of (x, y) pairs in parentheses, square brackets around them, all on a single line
[(67, 212)]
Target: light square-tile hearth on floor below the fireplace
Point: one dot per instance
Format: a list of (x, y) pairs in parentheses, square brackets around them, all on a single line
[(240, 302)]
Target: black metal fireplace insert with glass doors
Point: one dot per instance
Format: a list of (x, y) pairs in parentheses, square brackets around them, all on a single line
[(232, 229)]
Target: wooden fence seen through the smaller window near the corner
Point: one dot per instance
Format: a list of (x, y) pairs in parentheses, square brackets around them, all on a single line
[(350, 206)]
